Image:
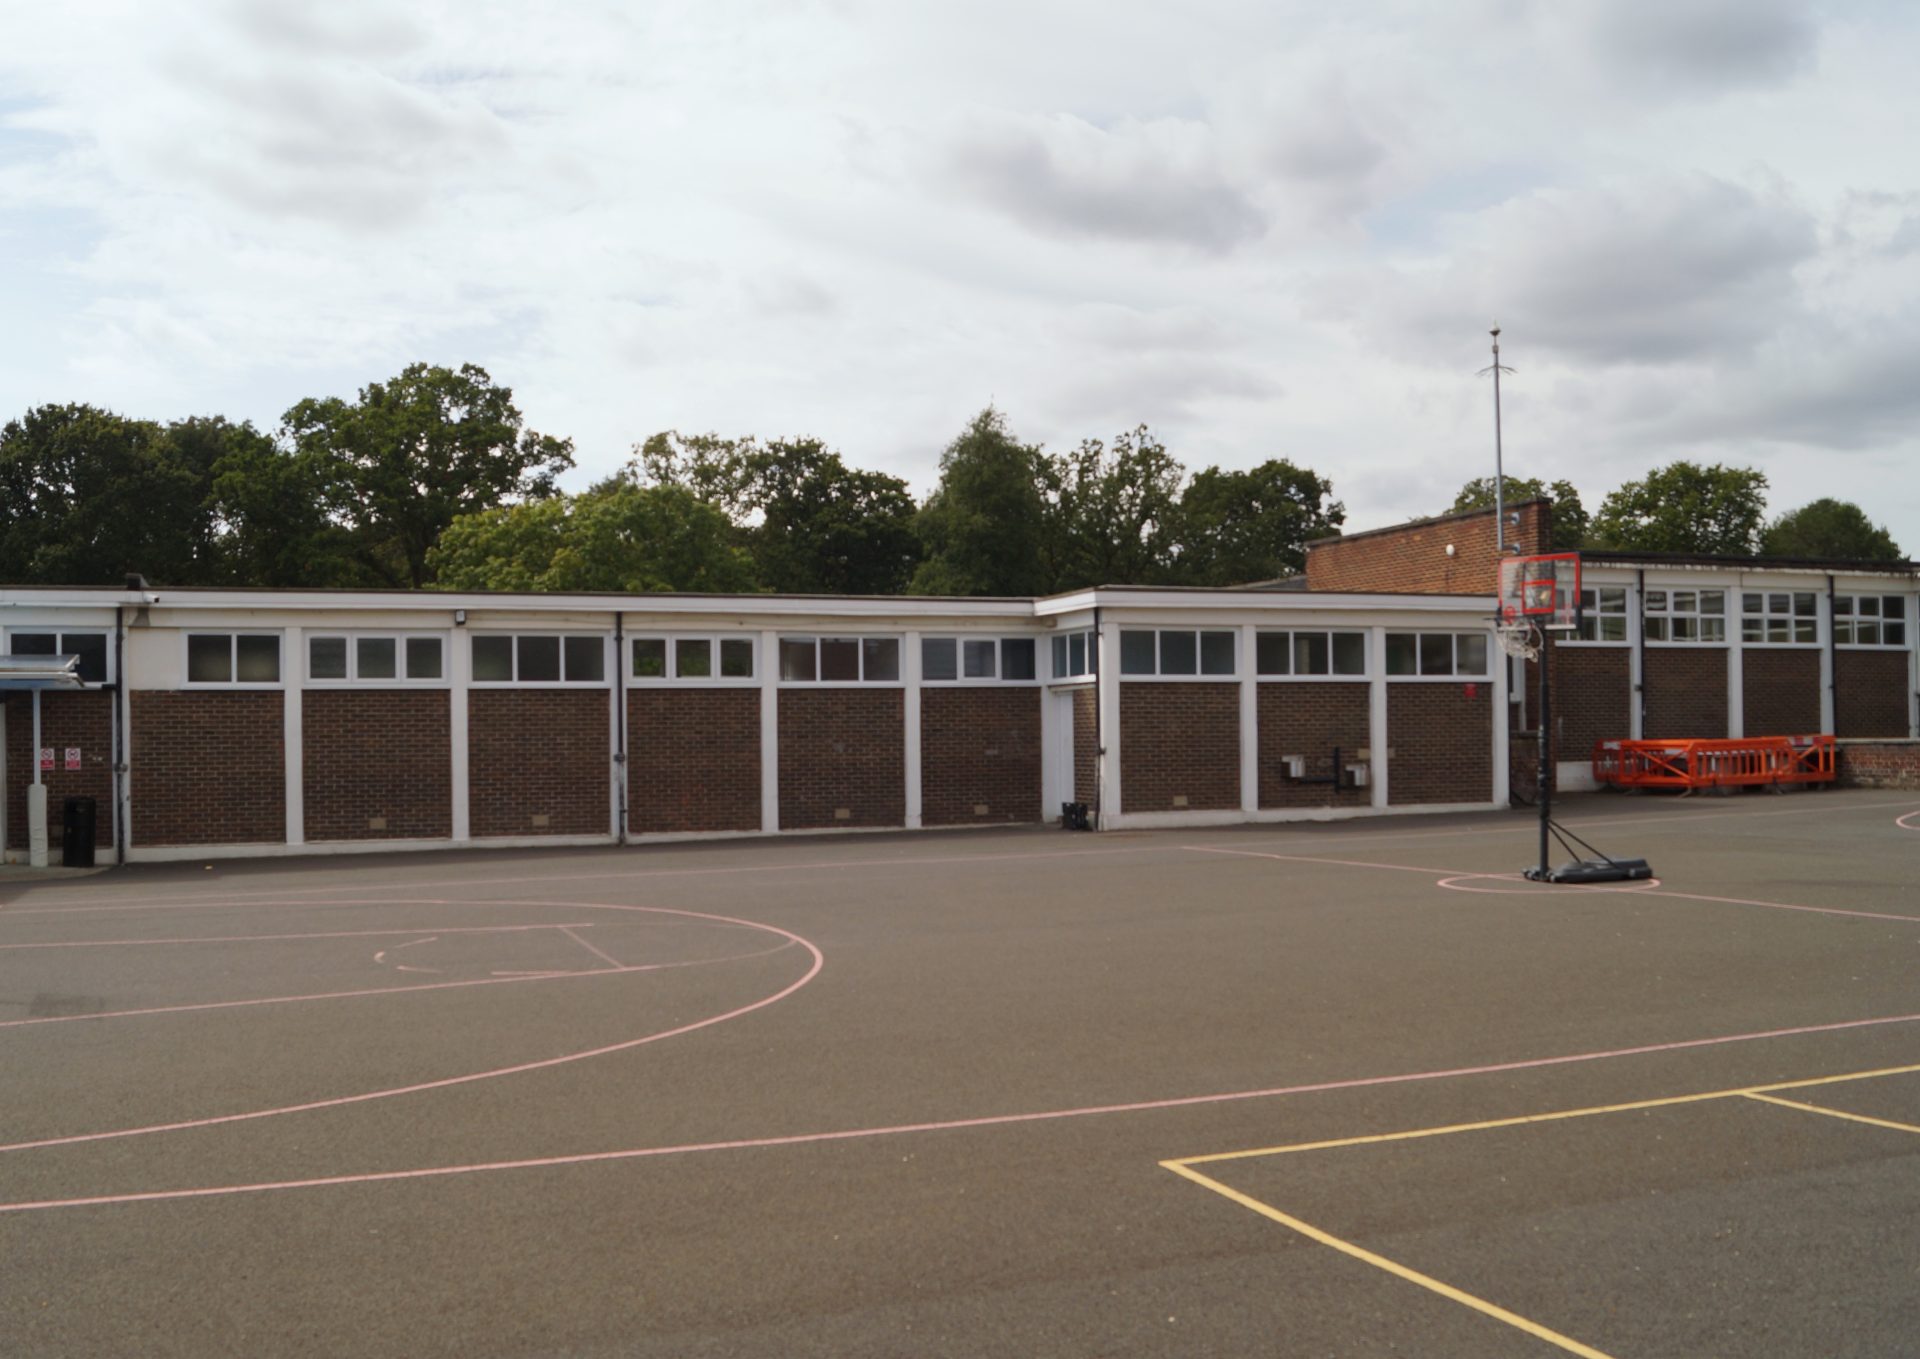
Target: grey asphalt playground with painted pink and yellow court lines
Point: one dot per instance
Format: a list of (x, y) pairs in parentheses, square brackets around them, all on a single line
[(1332, 1089)]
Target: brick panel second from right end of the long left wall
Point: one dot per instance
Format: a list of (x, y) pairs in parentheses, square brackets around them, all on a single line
[(842, 751)]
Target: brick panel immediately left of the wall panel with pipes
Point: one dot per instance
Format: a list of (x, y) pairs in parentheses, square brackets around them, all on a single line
[(1180, 740)]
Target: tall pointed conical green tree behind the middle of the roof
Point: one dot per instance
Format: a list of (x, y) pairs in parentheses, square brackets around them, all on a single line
[(982, 525)]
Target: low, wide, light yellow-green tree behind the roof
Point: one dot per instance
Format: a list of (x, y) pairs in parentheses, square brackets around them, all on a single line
[(617, 536)]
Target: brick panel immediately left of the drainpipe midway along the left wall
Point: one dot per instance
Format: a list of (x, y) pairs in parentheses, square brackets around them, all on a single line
[(539, 753)]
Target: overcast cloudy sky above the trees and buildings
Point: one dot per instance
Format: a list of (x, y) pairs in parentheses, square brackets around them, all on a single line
[(1266, 229)]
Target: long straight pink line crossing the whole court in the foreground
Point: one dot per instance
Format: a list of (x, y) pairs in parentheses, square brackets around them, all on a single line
[(944, 1126)]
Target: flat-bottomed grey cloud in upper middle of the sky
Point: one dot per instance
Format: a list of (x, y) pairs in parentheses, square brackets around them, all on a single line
[(1151, 181)]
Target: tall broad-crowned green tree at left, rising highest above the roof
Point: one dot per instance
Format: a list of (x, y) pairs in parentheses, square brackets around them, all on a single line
[(416, 454)]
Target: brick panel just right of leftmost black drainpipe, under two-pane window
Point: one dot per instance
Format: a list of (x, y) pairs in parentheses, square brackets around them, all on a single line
[(208, 767)]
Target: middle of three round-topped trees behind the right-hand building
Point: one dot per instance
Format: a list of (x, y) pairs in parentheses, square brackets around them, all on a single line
[(1685, 508)]
